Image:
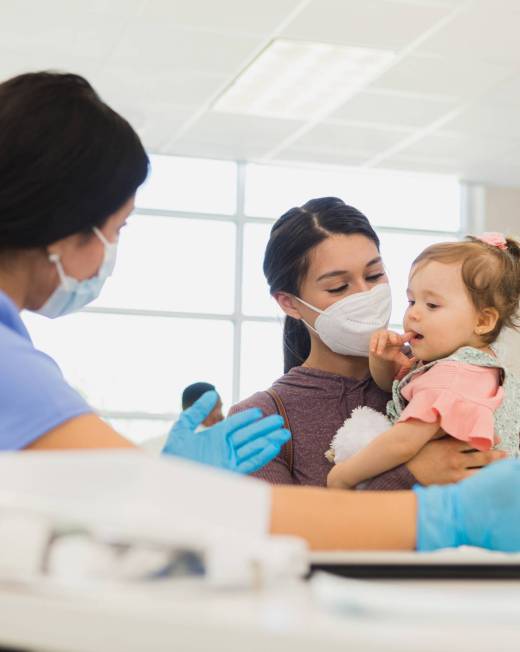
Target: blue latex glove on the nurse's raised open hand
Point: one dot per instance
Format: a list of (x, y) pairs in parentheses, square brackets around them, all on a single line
[(244, 442)]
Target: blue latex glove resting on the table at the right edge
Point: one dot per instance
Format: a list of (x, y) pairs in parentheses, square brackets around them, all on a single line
[(483, 510)]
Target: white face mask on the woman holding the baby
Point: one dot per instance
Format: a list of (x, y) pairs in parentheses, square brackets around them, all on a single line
[(347, 326)]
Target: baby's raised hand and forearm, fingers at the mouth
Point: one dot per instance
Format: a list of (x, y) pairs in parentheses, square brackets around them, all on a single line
[(386, 357)]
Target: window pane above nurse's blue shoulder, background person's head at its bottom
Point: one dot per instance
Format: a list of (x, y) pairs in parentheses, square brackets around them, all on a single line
[(135, 363)]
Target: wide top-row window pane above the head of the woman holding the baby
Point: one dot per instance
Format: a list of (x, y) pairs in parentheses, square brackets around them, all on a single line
[(397, 199)]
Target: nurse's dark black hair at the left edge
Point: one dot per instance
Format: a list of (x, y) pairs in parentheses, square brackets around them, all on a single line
[(67, 160)]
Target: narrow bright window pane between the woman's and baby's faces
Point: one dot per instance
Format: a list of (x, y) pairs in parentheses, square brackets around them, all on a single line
[(398, 251)]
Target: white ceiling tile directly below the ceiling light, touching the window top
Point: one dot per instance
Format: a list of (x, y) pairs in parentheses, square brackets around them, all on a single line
[(236, 133)]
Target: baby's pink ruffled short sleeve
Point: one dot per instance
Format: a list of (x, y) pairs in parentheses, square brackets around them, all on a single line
[(461, 396)]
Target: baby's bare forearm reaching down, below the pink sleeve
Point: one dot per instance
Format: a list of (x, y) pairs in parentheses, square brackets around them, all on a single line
[(390, 449)]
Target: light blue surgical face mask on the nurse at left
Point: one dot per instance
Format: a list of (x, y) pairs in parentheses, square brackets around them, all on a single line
[(72, 295)]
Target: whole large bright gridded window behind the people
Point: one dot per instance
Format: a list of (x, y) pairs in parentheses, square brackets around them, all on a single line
[(188, 301)]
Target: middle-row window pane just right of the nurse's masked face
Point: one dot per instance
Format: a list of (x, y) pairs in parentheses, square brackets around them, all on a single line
[(174, 264)]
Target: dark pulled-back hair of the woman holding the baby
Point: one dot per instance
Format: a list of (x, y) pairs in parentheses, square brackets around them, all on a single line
[(293, 237)]
